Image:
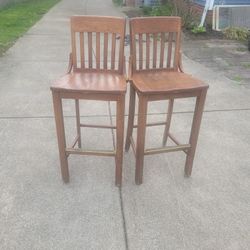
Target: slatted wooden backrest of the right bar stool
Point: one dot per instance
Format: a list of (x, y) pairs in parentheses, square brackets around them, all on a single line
[(155, 43)]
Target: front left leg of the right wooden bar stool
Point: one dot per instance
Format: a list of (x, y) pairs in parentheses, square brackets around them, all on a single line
[(140, 143)]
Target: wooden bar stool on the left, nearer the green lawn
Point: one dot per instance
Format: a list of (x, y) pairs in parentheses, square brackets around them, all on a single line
[(95, 72)]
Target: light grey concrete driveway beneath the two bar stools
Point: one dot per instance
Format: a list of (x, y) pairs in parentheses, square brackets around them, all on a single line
[(210, 210)]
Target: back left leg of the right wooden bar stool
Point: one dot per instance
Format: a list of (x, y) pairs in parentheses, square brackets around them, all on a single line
[(131, 116)]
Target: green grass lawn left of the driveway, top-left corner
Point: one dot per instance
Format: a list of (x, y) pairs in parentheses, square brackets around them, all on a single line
[(16, 19)]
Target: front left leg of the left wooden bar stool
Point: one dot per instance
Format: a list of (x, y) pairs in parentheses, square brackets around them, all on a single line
[(57, 102)]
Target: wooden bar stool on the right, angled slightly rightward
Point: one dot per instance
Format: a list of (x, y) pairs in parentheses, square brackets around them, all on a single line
[(156, 74)]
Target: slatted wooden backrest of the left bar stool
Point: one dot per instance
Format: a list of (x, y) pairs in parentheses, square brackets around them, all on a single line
[(98, 43)]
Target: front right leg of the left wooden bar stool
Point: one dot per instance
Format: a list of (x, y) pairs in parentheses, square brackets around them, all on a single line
[(120, 107)]
